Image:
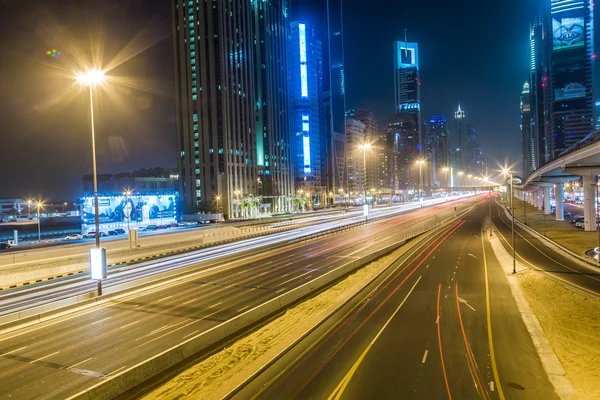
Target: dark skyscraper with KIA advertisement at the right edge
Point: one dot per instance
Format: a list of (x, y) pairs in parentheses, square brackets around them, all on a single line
[(572, 73)]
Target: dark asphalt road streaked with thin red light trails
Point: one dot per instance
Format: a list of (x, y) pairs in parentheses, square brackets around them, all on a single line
[(419, 332)]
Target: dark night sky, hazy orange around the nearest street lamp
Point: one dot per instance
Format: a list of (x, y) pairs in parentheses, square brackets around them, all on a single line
[(473, 52)]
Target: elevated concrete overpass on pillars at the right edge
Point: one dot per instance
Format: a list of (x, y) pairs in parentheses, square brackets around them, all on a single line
[(580, 161)]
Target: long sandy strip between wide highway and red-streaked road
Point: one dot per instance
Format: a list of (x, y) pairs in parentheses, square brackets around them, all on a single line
[(216, 376)]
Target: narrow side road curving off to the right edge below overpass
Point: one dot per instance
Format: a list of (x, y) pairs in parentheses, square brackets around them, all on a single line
[(531, 252)]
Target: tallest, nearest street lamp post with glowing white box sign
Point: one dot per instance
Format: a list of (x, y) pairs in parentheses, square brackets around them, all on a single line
[(91, 78)]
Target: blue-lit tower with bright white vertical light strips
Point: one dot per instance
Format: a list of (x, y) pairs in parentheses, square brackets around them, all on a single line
[(305, 71)]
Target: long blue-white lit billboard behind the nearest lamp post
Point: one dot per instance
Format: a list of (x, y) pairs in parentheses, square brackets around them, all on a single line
[(136, 210)]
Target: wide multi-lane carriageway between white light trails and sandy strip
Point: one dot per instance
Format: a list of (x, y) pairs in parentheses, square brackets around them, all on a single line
[(60, 357)]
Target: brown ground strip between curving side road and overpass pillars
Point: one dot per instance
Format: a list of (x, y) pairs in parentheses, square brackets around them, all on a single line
[(562, 232)]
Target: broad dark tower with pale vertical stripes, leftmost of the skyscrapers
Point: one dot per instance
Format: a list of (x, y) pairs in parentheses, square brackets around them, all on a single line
[(215, 102)]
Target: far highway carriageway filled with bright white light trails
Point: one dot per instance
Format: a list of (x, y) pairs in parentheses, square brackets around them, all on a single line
[(24, 297)]
